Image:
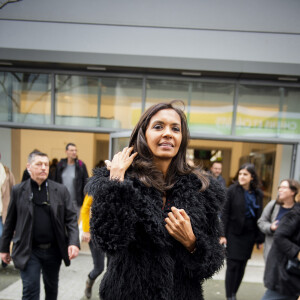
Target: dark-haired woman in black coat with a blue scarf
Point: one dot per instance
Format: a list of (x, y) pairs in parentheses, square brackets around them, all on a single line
[(242, 209)]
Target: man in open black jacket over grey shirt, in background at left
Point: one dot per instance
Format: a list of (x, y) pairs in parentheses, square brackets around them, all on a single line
[(72, 173)]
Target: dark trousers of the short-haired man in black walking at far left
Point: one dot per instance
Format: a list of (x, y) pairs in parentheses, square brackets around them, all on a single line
[(48, 262)]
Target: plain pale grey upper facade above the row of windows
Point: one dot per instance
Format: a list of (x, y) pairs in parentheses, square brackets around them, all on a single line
[(233, 36)]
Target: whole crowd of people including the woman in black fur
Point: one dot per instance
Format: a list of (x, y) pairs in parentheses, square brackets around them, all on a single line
[(164, 224)]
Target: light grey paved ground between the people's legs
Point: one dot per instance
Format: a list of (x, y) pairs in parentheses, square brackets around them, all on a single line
[(72, 281)]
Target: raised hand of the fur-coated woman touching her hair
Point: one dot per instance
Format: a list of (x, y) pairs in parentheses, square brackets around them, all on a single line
[(120, 163)]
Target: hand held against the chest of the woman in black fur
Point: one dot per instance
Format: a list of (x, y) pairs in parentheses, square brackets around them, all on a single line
[(180, 228)]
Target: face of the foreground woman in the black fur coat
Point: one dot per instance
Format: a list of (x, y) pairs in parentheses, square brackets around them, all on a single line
[(164, 134)]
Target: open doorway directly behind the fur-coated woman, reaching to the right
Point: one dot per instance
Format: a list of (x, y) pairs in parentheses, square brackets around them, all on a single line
[(273, 161)]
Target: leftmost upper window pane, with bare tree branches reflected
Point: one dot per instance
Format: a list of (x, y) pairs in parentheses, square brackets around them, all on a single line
[(26, 97)]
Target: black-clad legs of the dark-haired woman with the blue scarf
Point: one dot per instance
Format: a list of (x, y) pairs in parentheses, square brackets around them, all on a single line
[(234, 275)]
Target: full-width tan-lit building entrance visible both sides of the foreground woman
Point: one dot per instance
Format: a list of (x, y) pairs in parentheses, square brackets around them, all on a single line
[(273, 162)]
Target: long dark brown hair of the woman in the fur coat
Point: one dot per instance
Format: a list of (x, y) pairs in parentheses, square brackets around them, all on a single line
[(143, 167)]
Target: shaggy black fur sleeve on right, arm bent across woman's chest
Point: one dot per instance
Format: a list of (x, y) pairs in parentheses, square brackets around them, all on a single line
[(205, 218)]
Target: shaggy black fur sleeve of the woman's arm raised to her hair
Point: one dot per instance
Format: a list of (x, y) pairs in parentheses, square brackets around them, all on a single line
[(112, 216)]
